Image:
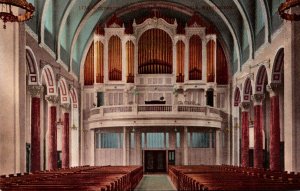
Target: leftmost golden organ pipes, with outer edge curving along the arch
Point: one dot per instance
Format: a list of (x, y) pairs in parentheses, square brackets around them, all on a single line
[(89, 67)]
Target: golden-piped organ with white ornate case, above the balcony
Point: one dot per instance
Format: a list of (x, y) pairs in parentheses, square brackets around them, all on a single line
[(155, 47)]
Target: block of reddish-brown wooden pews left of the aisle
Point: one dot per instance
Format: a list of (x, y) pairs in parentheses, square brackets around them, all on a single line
[(103, 178)]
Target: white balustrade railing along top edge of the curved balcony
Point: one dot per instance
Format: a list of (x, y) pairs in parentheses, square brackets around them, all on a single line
[(152, 109)]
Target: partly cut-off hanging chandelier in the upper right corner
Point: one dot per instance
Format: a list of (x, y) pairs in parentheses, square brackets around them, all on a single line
[(287, 5)]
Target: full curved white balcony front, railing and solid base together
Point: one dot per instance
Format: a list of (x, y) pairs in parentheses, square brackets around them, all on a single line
[(154, 115)]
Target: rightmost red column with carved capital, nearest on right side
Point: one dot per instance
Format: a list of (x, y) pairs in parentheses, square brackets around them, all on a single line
[(274, 129)]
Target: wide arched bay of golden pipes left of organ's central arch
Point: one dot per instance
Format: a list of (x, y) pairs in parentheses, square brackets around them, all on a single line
[(115, 58)]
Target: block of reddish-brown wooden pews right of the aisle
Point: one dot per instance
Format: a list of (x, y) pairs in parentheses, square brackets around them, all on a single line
[(227, 177)]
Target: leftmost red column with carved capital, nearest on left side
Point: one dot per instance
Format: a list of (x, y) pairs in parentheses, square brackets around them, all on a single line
[(36, 92)]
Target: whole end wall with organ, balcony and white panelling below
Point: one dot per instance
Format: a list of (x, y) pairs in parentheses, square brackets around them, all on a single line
[(155, 76)]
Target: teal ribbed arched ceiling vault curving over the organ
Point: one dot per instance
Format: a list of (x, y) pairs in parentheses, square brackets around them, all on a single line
[(67, 26)]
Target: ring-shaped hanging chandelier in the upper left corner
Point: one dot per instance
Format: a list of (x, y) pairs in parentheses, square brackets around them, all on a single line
[(15, 11)]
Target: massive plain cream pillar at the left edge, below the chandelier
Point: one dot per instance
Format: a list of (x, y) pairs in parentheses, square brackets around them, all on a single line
[(13, 85)]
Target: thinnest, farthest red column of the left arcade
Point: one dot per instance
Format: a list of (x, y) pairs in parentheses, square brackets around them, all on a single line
[(66, 137)]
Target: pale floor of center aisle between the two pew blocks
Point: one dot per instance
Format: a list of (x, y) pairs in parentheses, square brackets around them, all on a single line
[(155, 182)]
